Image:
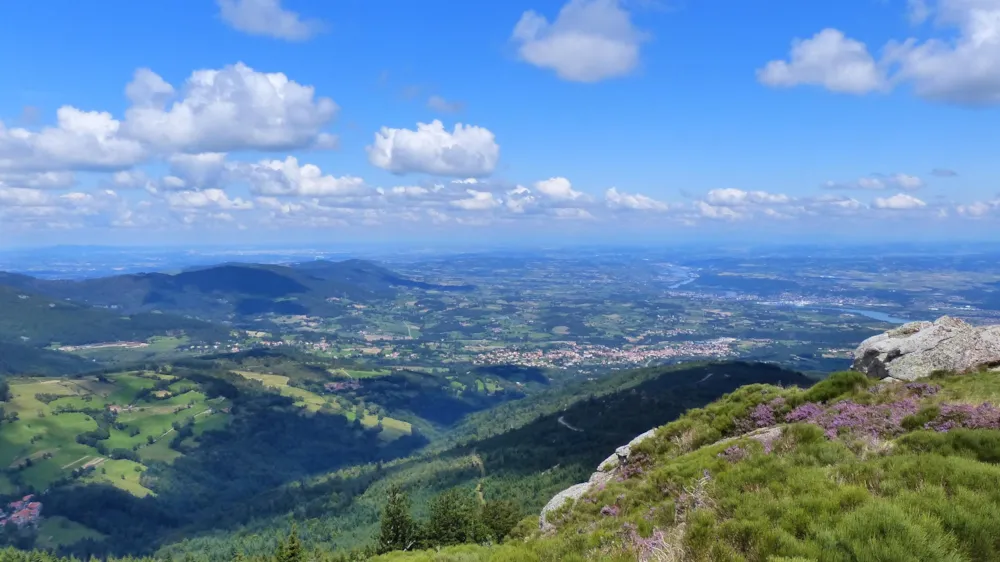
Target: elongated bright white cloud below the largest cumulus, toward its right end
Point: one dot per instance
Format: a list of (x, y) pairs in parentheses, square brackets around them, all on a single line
[(287, 177)]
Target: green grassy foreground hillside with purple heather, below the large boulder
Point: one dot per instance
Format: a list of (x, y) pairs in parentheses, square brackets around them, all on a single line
[(887, 490)]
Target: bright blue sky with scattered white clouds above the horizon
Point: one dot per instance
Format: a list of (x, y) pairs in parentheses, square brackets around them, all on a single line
[(586, 119)]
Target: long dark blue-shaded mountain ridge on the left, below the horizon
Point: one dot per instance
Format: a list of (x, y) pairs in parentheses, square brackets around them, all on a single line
[(231, 290)]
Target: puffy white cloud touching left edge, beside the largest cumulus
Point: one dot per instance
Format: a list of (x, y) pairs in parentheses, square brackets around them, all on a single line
[(86, 140)]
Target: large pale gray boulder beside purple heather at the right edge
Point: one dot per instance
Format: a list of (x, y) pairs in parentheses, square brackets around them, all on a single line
[(915, 350)]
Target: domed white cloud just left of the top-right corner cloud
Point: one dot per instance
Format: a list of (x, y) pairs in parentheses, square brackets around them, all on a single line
[(828, 59)]
